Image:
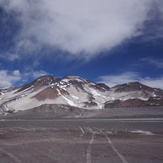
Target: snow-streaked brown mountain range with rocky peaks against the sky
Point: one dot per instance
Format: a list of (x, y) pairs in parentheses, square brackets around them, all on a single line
[(77, 92)]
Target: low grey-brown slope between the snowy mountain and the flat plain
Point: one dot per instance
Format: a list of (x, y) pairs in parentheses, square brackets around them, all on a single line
[(64, 111)]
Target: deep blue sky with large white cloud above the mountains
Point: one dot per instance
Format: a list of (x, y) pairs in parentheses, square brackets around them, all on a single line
[(110, 41)]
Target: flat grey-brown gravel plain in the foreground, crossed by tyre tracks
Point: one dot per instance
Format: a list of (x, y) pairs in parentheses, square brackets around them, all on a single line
[(81, 141)]
